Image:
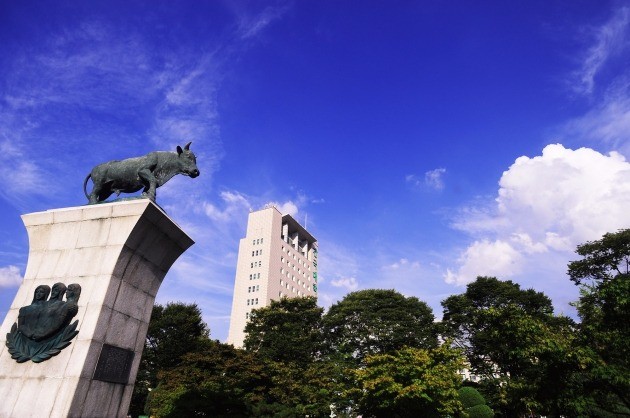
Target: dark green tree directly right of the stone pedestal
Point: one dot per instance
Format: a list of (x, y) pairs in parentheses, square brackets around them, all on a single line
[(174, 330)]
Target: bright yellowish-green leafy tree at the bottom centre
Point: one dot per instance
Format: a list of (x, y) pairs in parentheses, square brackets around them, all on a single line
[(411, 382)]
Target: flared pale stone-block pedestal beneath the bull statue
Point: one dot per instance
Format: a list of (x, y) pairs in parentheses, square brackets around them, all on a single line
[(119, 253)]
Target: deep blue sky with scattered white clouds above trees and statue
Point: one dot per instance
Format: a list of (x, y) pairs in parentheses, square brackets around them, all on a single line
[(423, 143)]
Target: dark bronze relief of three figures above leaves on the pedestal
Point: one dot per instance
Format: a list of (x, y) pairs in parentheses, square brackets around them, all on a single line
[(43, 328)]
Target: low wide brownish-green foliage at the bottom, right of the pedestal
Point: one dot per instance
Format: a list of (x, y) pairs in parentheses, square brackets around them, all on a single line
[(223, 381)]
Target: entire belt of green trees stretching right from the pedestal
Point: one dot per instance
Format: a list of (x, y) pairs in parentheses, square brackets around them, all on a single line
[(376, 353)]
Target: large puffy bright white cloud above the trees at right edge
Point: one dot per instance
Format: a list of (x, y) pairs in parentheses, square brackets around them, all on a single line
[(548, 203)]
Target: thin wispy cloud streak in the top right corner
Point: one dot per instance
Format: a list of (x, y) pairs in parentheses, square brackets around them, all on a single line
[(610, 41)]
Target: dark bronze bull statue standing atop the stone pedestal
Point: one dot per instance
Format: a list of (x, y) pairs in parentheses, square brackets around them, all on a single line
[(149, 172)]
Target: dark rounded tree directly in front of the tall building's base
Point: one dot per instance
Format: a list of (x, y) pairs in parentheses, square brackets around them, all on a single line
[(288, 330)]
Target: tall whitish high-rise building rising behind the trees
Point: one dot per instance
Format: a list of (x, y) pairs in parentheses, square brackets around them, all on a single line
[(276, 259)]
